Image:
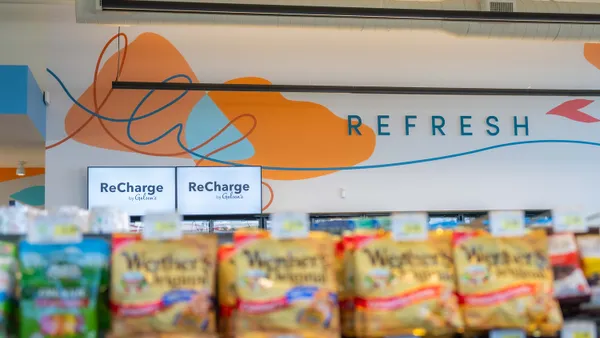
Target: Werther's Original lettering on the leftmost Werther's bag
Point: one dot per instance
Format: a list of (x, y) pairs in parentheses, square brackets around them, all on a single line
[(169, 269)]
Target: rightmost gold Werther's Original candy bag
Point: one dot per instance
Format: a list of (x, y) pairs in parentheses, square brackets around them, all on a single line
[(506, 282)]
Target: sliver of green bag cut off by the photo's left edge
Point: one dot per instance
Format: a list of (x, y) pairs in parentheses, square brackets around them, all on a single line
[(8, 271)]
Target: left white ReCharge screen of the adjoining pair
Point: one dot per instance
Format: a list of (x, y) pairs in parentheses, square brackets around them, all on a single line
[(134, 190)]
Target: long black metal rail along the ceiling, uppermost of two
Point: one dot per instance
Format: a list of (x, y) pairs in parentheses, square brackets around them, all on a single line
[(347, 12)]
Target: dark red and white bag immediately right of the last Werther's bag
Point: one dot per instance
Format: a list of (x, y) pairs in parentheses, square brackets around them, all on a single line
[(569, 281)]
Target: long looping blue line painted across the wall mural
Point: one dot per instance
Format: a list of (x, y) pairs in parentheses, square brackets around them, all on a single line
[(179, 128)]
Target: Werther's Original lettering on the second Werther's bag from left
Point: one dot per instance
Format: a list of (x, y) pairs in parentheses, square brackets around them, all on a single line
[(294, 268)]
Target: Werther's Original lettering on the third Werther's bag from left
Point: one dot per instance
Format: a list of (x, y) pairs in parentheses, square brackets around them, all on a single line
[(422, 265)]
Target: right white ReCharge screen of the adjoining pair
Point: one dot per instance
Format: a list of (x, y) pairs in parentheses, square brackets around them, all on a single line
[(219, 190)]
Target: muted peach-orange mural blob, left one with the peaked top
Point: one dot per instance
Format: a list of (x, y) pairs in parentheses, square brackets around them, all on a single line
[(151, 58)]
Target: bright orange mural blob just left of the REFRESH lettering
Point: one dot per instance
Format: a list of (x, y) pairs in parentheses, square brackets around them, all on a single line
[(293, 133)]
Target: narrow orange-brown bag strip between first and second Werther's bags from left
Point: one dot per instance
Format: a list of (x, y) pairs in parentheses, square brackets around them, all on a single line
[(226, 290)]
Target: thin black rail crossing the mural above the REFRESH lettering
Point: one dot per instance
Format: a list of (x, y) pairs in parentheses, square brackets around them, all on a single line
[(381, 90)]
